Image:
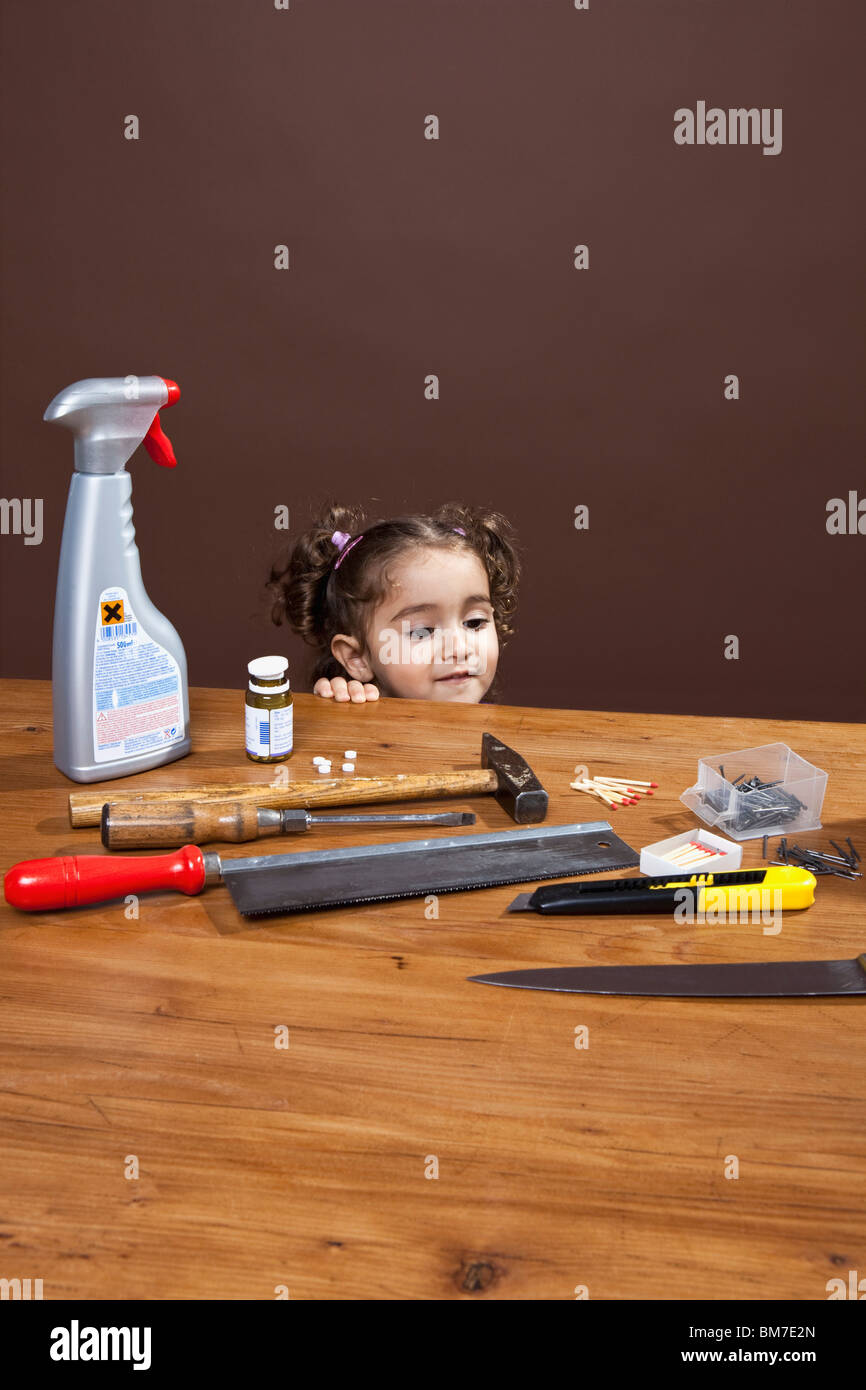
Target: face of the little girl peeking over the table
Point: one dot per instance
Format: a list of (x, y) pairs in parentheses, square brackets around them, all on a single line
[(434, 637)]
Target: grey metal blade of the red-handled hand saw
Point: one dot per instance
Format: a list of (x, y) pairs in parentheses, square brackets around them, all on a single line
[(305, 882)]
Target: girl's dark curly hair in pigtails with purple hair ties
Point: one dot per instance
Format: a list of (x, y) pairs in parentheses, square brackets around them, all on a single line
[(319, 600)]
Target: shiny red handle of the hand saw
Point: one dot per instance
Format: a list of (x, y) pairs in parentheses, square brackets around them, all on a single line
[(74, 881)]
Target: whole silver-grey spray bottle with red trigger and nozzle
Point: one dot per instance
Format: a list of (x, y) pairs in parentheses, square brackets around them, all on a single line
[(119, 669)]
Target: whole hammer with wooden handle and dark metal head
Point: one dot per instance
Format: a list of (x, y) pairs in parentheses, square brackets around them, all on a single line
[(503, 772)]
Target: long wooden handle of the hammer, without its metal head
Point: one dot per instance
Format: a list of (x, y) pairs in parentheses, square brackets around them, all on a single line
[(87, 807)]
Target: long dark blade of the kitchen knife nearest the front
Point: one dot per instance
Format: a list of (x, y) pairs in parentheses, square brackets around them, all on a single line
[(751, 981)]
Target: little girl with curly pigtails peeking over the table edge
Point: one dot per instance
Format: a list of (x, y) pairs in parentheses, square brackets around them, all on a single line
[(416, 608)]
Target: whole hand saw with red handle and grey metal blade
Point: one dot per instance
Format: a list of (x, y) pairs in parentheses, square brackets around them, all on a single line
[(304, 882)]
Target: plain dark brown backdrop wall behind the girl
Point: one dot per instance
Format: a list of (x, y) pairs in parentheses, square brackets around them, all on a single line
[(409, 256)]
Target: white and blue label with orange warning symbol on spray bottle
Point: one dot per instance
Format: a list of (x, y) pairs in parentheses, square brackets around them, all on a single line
[(137, 686)]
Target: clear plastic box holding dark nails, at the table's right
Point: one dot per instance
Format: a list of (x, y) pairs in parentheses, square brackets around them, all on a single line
[(793, 801)]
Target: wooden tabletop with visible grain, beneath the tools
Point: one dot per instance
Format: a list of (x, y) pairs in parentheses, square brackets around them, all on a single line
[(312, 1168)]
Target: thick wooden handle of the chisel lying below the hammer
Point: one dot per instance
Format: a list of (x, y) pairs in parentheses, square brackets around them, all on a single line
[(149, 825)]
